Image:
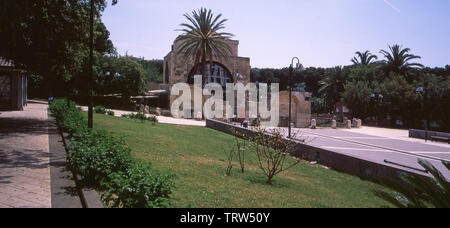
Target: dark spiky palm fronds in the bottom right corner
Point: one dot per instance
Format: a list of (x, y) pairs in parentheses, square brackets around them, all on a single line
[(421, 192)]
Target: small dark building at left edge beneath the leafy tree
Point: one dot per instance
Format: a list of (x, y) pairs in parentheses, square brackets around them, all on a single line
[(13, 86)]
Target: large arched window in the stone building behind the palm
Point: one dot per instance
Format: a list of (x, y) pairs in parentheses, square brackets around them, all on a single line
[(215, 74)]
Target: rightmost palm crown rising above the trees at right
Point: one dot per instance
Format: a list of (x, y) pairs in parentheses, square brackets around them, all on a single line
[(397, 60)]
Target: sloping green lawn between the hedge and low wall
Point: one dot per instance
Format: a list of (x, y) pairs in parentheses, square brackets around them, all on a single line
[(195, 155)]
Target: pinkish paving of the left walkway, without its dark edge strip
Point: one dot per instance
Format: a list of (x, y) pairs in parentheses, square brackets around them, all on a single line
[(24, 158)]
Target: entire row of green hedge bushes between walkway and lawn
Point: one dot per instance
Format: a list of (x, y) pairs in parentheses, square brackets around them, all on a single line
[(106, 164)]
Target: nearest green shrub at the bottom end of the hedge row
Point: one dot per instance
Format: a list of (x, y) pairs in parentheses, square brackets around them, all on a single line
[(140, 186)]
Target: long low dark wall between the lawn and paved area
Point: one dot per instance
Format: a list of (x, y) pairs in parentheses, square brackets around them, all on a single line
[(340, 162)]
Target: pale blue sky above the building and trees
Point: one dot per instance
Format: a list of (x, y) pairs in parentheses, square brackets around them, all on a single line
[(322, 33)]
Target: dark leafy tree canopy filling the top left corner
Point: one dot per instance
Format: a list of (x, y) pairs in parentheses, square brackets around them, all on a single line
[(47, 37)]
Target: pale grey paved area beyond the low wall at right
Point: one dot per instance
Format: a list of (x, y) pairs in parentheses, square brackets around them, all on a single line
[(380, 146)]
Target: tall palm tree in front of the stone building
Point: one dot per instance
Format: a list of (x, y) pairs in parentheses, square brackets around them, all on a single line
[(202, 38)]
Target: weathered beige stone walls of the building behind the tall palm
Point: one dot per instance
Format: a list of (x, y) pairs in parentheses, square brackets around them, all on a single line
[(235, 69)]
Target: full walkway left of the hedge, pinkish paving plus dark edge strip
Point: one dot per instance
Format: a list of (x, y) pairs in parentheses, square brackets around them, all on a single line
[(33, 161)]
